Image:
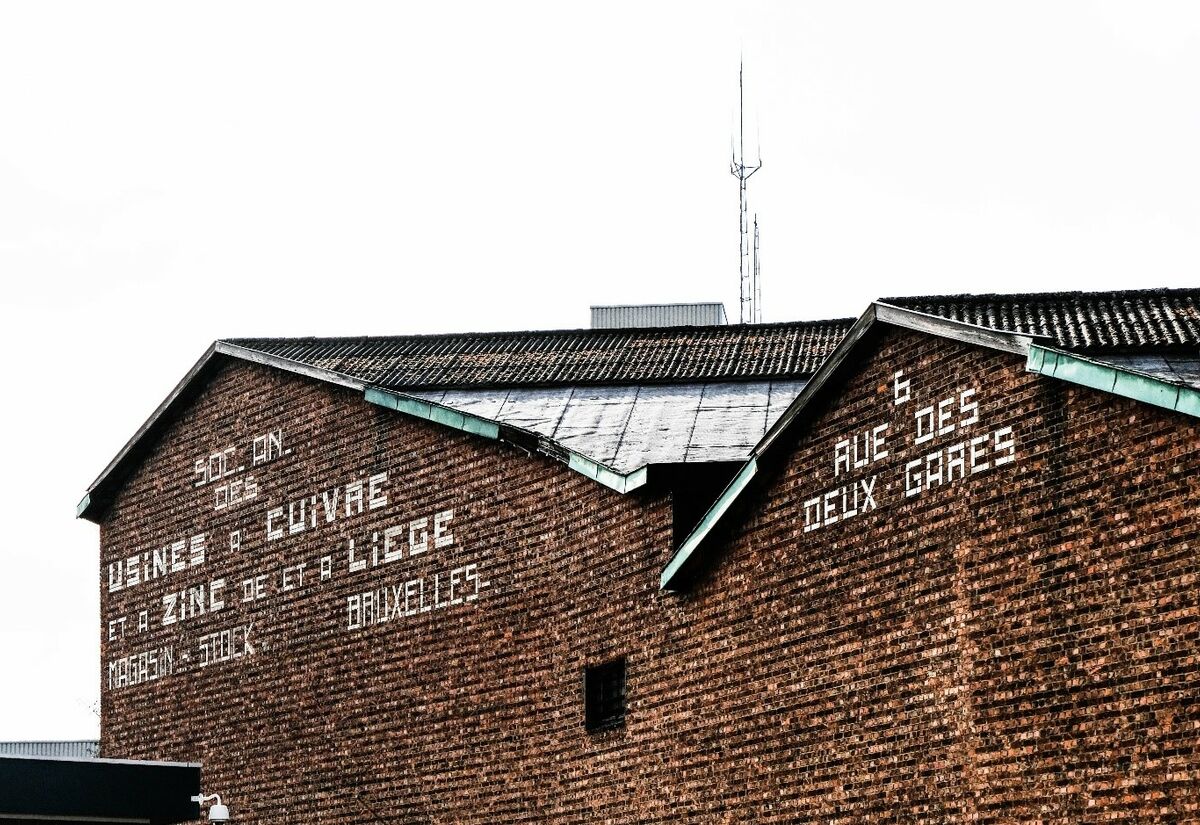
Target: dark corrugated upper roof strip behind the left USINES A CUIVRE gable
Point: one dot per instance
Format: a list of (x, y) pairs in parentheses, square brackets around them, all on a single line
[(683, 354)]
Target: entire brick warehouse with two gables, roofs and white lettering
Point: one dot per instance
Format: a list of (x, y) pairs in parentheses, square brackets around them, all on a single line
[(939, 564)]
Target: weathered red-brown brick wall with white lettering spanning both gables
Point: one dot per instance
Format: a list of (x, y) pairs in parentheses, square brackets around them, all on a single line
[(1013, 643)]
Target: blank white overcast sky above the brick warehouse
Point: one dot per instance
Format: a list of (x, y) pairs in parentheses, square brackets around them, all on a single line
[(172, 173)]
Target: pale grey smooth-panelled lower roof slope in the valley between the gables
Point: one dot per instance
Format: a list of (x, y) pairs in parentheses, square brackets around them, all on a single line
[(629, 427)]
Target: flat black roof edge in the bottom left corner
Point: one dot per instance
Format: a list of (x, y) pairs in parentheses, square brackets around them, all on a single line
[(43, 790)]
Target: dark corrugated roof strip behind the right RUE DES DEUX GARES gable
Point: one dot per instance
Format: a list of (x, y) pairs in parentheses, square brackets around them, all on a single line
[(1133, 320)]
